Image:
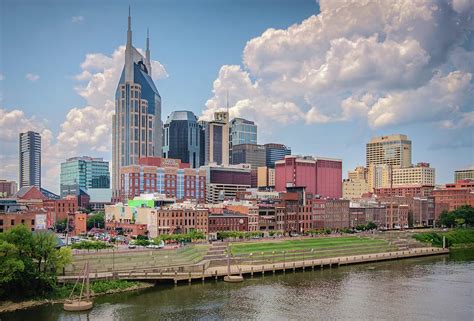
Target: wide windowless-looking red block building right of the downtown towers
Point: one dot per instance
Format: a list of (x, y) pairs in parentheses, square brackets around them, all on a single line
[(316, 175)]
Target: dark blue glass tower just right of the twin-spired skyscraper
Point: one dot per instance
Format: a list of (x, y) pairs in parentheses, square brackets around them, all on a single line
[(182, 138)]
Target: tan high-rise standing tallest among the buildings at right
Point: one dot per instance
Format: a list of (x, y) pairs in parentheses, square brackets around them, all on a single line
[(393, 150)]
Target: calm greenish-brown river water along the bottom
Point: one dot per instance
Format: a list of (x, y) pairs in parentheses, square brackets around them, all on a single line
[(430, 288)]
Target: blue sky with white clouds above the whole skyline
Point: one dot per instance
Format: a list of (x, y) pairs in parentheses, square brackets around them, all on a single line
[(323, 80)]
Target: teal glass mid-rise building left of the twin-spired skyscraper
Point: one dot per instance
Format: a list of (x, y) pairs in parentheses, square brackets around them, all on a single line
[(83, 173)]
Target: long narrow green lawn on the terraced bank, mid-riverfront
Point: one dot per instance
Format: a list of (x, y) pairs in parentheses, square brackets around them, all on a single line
[(318, 244)]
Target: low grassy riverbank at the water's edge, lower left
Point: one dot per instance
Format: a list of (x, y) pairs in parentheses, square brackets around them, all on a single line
[(10, 306)]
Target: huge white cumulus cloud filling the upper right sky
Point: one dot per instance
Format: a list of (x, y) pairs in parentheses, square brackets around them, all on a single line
[(386, 62)]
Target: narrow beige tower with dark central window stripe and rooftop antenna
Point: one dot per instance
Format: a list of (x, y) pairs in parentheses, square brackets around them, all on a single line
[(216, 139)]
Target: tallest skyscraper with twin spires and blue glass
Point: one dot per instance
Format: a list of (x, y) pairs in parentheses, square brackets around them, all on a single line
[(136, 124)]
